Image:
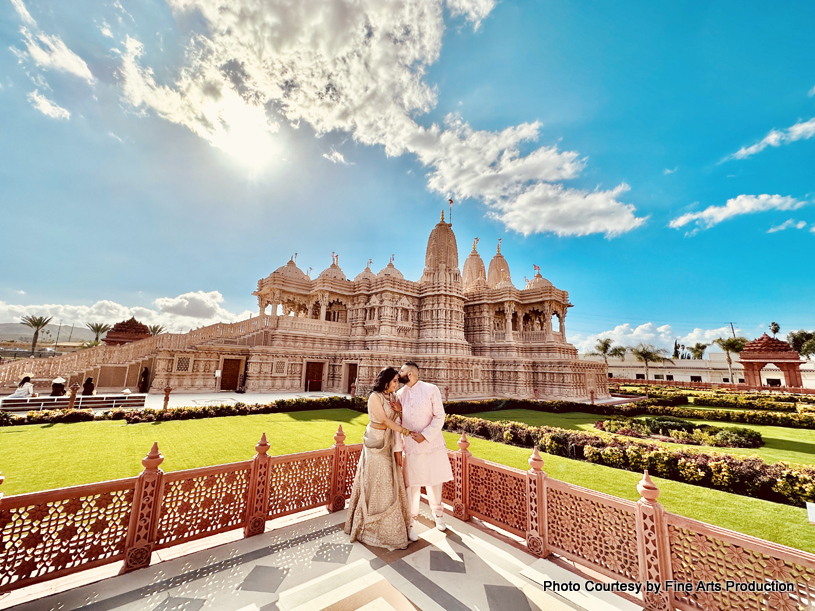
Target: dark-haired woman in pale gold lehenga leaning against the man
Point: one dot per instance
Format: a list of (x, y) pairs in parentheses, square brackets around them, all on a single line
[(378, 511)]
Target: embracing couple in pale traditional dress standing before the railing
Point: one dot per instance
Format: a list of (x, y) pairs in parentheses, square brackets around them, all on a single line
[(403, 449)]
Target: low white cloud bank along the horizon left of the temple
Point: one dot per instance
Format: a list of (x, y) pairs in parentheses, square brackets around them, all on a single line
[(177, 314)]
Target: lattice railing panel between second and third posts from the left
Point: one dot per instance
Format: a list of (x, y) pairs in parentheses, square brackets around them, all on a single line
[(300, 483)]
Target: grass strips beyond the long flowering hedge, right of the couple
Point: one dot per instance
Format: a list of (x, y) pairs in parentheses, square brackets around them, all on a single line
[(780, 443)]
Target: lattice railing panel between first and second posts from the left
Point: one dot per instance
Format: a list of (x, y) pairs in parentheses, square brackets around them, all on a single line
[(202, 505)]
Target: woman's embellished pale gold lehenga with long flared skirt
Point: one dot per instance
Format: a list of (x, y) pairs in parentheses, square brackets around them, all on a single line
[(378, 510)]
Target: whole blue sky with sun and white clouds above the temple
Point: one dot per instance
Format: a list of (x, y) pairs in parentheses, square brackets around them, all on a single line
[(654, 159)]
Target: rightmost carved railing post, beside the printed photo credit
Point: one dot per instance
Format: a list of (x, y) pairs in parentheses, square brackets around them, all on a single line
[(653, 547)]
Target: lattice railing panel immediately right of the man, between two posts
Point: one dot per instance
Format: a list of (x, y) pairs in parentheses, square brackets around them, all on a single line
[(498, 495)]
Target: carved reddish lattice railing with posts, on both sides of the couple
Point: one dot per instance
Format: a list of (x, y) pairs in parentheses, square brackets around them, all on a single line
[(48, 534)]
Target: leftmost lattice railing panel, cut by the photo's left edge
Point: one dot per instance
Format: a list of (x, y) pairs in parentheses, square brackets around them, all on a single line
[(87, 524)]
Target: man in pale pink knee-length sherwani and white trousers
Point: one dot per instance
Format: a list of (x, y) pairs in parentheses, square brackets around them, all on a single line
[(426, 462)]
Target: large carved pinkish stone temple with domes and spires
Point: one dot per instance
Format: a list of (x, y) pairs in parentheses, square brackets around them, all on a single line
[(473, 333)]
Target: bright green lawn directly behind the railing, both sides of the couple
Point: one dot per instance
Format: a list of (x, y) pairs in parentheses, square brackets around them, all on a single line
[(39, 457)]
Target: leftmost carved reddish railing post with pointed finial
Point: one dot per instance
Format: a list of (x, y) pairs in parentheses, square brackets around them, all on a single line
[(141, 531)]
